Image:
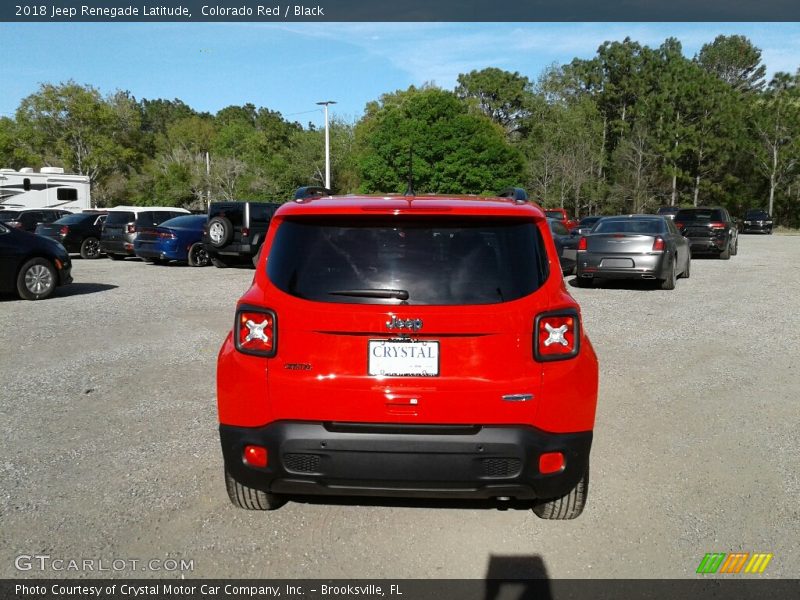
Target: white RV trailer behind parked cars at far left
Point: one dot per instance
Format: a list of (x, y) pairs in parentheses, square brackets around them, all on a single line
[(49, 188)]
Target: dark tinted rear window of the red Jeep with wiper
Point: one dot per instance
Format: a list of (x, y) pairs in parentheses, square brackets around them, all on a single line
[(408, 262)]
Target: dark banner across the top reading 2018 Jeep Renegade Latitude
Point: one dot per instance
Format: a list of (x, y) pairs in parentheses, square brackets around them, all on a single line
[(273, 11)]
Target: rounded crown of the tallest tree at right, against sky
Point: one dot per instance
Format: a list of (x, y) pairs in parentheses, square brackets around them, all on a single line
[(735, 60)]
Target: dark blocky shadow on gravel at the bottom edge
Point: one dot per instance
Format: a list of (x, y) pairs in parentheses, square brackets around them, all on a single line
[(518, 577)]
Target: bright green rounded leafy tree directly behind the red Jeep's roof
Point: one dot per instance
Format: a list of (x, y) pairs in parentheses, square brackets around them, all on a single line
[(453, 151)]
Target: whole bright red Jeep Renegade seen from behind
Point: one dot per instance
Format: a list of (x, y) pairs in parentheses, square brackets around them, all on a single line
[(418, 346)]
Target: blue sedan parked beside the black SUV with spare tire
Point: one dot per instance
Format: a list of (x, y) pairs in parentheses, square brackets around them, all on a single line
[(179, 238)]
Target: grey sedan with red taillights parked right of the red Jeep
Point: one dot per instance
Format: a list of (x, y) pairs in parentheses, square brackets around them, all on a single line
[(633, 247)]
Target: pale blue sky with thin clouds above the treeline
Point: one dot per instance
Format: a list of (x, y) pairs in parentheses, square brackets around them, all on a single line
[(289, 67)]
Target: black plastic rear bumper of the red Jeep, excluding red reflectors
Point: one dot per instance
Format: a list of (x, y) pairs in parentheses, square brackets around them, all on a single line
[(408, 461)]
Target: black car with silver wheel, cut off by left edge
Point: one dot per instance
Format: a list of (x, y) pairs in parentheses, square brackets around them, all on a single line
[(31, 265)]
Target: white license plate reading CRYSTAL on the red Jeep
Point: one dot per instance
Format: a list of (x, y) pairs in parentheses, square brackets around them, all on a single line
[(389, 358)]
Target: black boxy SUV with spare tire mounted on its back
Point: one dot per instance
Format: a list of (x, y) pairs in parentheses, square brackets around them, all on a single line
[(236, 230)]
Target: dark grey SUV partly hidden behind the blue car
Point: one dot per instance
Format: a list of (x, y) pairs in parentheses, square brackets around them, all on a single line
[(124, 222)]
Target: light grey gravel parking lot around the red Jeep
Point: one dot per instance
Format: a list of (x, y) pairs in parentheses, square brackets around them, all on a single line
[(110, 448)]
